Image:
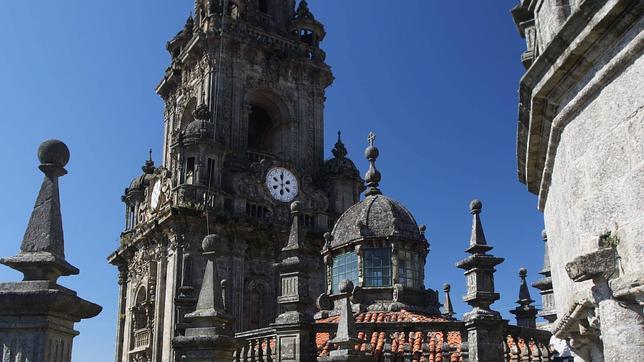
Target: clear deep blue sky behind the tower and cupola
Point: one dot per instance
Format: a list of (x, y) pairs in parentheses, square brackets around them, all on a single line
[(436, 80)]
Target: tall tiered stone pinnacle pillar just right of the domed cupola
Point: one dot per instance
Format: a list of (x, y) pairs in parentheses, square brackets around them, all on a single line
[(484, 325)]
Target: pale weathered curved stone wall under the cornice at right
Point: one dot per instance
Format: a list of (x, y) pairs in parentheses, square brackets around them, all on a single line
[(597, 182)]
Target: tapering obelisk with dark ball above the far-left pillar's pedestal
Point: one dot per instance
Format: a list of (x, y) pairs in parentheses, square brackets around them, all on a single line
[(42, 252)]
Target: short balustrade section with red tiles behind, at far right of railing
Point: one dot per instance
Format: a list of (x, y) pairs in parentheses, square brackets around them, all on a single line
[(526, 344)]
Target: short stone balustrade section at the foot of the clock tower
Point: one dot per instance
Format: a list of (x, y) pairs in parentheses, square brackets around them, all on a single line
[(256, 346)]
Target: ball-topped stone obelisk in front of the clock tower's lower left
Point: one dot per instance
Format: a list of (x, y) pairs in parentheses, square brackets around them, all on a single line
[(209, 337)]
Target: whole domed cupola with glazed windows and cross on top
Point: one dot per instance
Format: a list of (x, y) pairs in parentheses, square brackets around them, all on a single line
[(378, 245)]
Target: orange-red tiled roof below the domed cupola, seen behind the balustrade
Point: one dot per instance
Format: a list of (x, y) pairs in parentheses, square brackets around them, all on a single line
[(421, 345)]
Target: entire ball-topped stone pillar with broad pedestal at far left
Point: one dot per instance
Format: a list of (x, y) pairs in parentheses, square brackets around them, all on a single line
[(37, 315)]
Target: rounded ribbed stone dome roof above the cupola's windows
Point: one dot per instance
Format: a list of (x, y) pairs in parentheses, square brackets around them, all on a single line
[(377, 216)]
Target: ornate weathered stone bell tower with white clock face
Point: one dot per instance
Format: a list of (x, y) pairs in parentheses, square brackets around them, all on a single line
[(243, 137)]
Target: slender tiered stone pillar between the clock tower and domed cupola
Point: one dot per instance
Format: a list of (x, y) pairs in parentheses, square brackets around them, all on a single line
[(293, 326)]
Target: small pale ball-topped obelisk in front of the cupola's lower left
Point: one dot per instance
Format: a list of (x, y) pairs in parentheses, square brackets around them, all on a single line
[(345, 337)]
